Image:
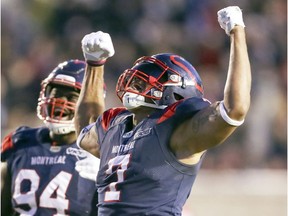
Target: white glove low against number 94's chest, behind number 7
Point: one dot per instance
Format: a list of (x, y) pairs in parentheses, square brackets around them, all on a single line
[(88, 167)]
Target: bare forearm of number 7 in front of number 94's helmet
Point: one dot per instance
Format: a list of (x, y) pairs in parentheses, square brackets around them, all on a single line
[(91, 100)]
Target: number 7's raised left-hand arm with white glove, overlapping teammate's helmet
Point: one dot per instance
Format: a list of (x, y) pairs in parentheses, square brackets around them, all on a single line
[(96, 47)]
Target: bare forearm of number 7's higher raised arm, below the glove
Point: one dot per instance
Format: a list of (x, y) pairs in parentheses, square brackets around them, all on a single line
[(238, 83)]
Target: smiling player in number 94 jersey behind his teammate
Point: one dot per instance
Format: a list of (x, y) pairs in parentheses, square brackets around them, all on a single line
[(39, 176)]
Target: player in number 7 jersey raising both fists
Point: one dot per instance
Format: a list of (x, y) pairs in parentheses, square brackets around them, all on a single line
[(151, 149)]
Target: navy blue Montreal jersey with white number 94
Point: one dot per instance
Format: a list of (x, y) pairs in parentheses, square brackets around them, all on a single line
[(44, 179)]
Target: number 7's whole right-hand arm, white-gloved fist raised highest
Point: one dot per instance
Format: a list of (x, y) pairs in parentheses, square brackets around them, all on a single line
[(212, 125)]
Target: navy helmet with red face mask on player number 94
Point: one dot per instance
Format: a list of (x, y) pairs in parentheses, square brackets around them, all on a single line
[(58, 96)]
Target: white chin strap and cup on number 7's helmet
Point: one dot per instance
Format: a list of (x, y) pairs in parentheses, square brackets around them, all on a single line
[(131, 101)]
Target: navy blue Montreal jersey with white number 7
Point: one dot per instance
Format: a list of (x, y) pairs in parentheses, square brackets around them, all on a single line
[(138, 173)]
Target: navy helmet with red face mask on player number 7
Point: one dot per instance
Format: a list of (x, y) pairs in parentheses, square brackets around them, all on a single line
[(169, 78)]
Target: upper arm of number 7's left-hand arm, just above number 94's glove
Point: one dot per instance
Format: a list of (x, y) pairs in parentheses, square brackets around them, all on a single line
[(88, 140)]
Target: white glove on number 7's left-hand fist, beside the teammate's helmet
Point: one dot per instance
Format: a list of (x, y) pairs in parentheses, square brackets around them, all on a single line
[(97, 47)]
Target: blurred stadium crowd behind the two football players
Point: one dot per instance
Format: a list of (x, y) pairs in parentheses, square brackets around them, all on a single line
[(36, 35)]
